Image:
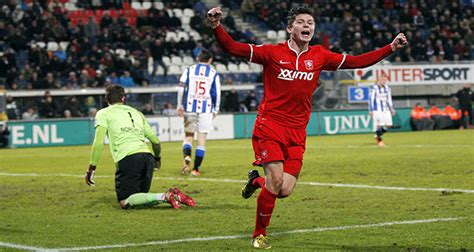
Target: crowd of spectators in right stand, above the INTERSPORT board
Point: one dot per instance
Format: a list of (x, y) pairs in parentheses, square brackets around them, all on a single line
[(437, 30)]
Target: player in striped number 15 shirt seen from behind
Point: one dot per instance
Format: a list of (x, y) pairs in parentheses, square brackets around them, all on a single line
[(199, 94)]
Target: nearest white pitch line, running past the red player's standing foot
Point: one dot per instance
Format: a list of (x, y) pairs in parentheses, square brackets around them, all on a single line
[(231, 237)]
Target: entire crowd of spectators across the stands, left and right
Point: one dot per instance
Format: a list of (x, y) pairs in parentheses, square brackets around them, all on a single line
[(91, 57)]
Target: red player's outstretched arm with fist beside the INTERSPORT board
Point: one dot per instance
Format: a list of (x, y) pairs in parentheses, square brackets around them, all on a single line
[(373, 57)]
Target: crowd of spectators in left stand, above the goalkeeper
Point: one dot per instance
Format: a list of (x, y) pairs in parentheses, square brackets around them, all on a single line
[(92, 55)]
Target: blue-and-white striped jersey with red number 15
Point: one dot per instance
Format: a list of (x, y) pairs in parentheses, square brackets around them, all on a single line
[(202, 89)]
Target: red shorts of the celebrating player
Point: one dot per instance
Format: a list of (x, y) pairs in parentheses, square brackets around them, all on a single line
[(273, 142)]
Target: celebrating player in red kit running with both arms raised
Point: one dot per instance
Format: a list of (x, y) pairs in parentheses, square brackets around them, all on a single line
[(291, 71)]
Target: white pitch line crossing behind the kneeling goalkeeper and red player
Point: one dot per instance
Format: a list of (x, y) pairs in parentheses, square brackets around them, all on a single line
[(393, 188)]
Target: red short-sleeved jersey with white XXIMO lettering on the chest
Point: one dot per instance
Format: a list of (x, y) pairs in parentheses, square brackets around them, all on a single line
[(290, 79)]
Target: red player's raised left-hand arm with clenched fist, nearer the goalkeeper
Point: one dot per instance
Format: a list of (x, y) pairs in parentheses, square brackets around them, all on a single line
[(234, 48)]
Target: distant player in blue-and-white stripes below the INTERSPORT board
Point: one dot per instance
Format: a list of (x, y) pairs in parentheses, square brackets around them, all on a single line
[(381, 108)]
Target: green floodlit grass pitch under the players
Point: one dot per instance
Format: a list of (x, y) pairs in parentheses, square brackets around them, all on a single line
[(57, 210)]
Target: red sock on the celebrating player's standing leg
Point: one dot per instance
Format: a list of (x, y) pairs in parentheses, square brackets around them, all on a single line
[(265, 204)]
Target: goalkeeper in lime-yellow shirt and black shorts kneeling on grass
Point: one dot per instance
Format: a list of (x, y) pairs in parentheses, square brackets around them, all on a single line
[(126, 129)]
